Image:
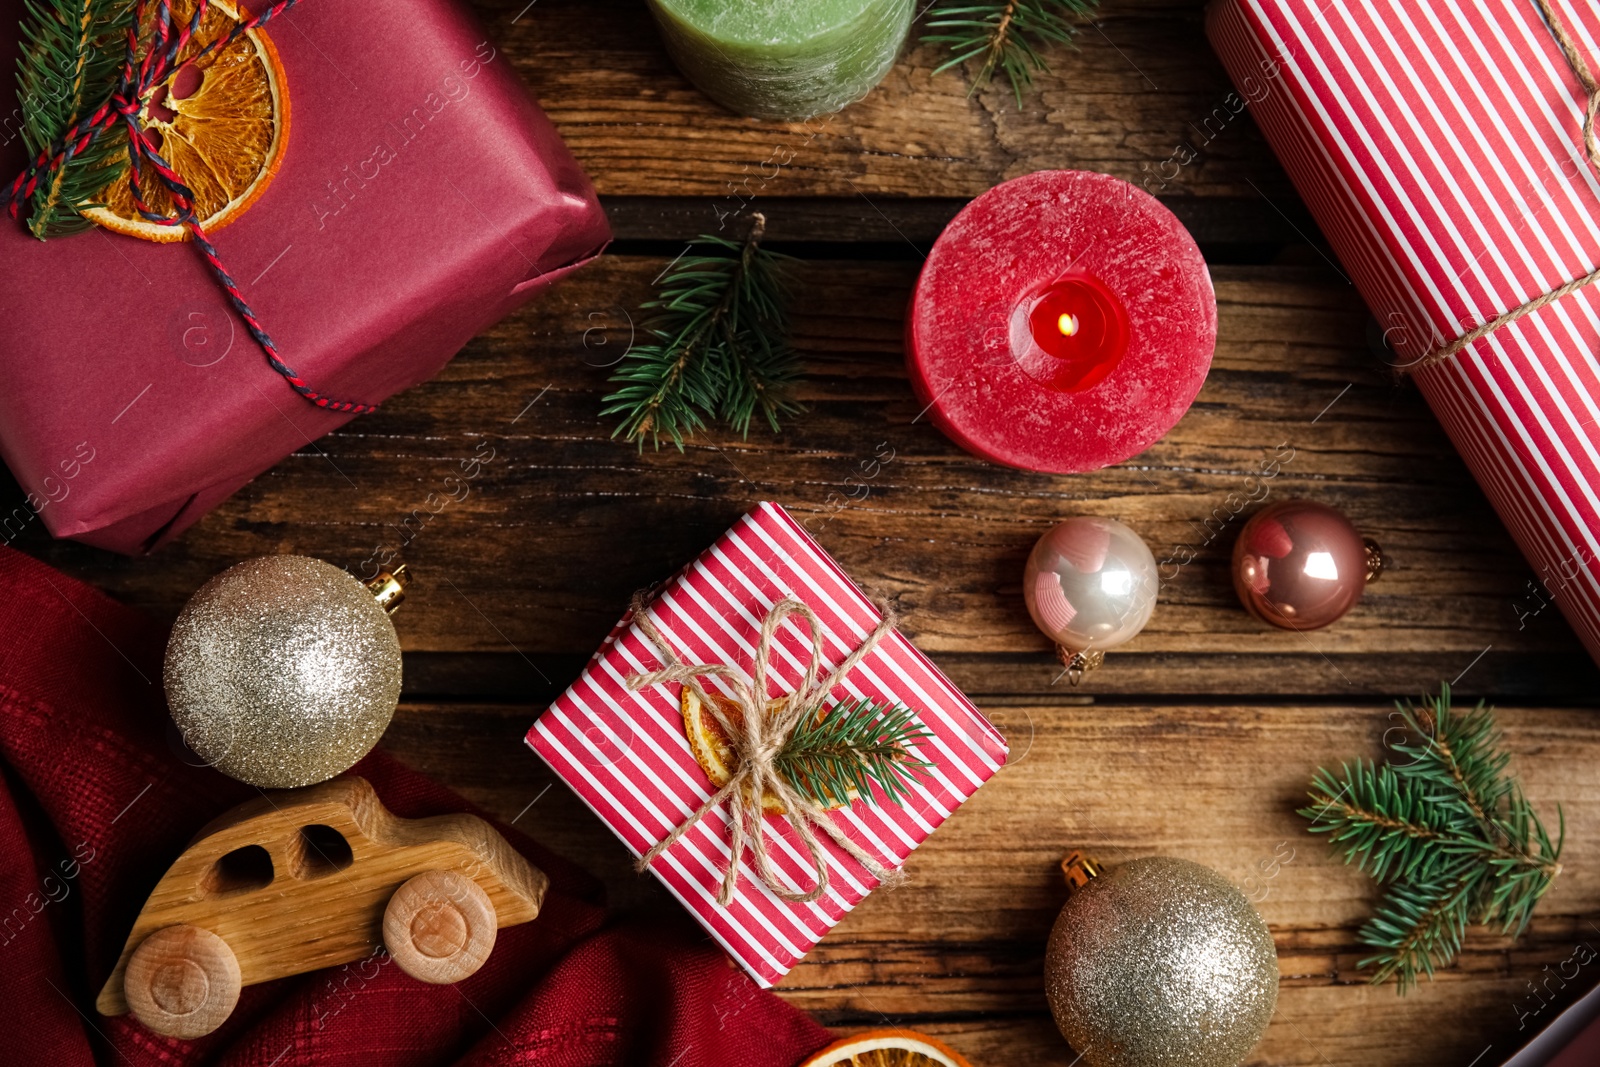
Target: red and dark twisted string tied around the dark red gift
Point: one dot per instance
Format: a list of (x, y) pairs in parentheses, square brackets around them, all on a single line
[(146, 66)]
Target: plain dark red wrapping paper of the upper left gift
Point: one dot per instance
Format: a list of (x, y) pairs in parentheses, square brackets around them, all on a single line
[(422, 198)]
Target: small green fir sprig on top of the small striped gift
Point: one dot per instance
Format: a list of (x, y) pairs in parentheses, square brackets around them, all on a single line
[(850, 749)]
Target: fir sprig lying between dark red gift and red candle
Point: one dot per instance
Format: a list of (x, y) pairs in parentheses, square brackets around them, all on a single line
[(719, 346)]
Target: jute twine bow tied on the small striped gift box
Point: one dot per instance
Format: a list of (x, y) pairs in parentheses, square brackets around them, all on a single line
[(756, 733)]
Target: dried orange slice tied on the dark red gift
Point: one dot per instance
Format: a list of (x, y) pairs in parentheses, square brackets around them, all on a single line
[(222, 122)]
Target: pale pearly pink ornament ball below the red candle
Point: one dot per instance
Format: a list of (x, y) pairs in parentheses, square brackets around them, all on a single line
[(1090, 586)]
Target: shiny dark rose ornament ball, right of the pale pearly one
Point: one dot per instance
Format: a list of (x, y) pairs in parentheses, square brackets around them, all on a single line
[(1302, 565)]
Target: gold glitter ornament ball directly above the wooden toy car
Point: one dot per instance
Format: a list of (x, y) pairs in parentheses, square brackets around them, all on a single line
[(282, 671)]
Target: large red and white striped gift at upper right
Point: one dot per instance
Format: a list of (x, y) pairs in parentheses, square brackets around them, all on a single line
[(1439, 146)]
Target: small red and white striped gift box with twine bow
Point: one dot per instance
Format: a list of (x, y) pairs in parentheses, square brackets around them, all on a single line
[(628, 757)]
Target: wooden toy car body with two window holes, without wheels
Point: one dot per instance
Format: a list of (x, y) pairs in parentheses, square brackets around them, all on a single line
[(287, 900)]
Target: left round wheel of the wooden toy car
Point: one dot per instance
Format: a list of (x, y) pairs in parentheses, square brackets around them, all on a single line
[(183, 981)]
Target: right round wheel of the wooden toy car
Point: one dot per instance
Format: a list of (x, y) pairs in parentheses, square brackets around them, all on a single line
[(441, 927)]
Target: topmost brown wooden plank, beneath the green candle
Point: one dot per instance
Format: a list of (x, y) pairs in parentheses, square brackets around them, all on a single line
[(1138, 97)]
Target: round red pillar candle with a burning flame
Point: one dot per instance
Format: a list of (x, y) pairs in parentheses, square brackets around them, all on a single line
[(1063, 322)]
